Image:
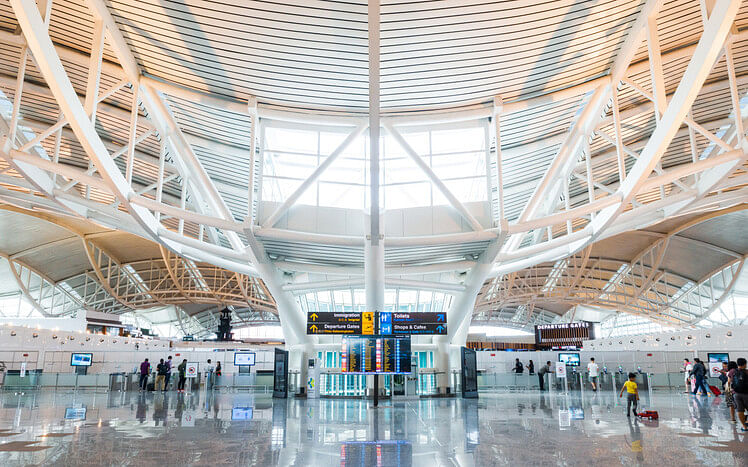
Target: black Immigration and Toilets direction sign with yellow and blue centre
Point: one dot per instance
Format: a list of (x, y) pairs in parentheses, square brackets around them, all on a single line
[(376, 323)]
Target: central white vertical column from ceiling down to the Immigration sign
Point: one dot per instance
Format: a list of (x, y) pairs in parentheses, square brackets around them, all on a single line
[(374, 249)]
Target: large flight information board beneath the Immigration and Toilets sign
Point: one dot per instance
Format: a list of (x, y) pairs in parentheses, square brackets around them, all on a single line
[(375, 355)]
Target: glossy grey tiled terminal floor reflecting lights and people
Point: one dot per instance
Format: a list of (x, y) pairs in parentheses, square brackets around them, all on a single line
[(40, 428)]
